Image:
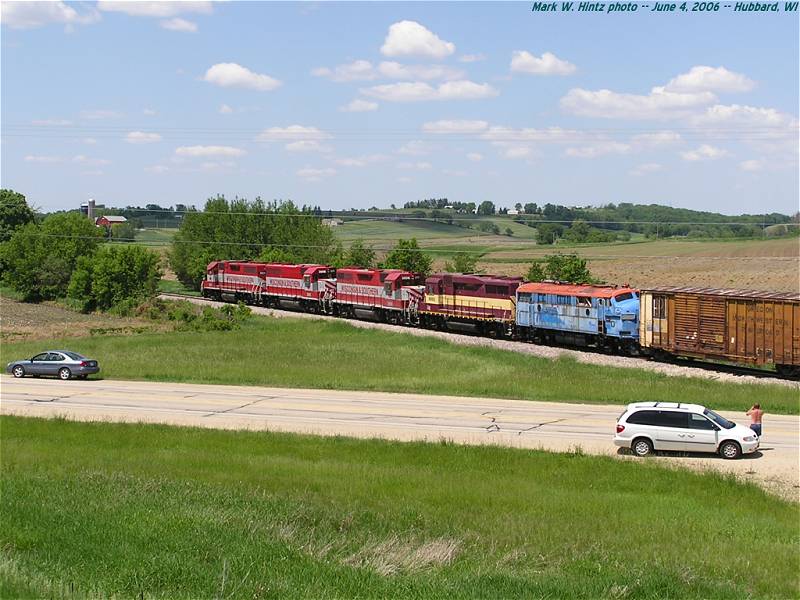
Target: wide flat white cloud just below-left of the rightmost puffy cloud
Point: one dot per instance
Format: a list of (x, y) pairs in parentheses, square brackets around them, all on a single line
[(658, 104)]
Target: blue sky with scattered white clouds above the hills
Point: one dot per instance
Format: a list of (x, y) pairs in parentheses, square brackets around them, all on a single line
[(358, 104)]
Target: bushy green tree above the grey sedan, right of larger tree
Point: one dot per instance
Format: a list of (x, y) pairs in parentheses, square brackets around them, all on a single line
[(115, 276)]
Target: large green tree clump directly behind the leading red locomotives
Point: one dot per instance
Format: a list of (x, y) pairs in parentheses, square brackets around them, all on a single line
[(243, 230)]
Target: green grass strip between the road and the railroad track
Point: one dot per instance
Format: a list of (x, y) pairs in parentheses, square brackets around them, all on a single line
[(336, 355)]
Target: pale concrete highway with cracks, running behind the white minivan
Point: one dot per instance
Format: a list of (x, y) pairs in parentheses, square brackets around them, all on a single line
[(525, 424)]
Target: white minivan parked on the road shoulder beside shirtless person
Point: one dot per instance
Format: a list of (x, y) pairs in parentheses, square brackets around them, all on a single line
[(648, 426)]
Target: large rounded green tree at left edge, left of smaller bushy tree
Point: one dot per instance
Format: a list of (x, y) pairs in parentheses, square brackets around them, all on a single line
[(39, 258)]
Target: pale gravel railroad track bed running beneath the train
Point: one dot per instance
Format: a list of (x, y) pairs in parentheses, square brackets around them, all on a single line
[(730, 369)]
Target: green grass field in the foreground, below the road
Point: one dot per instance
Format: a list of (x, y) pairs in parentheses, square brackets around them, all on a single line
[(95, 510)]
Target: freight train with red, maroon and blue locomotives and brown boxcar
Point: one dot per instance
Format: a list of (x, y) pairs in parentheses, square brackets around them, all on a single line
[(758, 329)]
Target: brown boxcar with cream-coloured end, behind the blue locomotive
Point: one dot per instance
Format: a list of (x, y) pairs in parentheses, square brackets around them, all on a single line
[(749, 327)]
